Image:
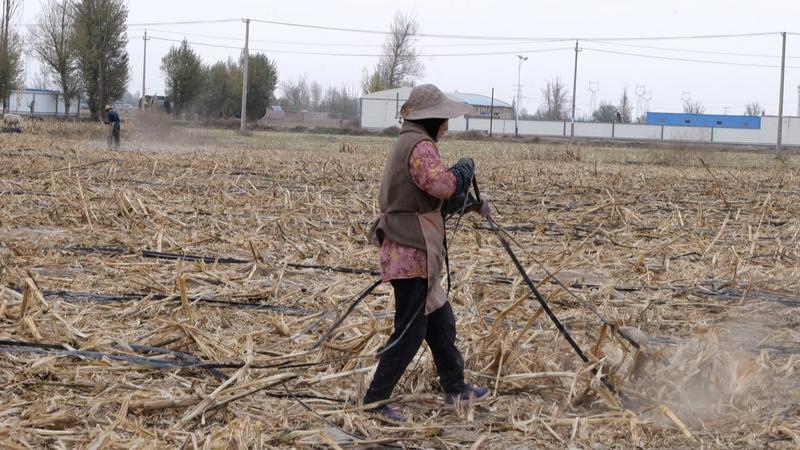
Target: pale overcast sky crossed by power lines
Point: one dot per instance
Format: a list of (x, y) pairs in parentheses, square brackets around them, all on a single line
[(719, 87)]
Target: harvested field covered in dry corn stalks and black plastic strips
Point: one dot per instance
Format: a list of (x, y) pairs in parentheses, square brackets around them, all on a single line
[(112, 337)]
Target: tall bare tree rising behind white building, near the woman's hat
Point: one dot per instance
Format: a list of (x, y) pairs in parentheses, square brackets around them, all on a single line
[(399, 64)]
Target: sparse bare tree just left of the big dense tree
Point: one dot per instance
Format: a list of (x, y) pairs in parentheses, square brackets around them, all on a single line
[(51, 38)]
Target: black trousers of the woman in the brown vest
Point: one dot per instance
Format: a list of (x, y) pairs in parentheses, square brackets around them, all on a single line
[(438, 329)]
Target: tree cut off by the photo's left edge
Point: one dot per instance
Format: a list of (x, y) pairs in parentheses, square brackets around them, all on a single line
[(10, 51)]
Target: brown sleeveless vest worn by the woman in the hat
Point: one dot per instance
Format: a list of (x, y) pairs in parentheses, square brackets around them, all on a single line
[(400, 200)]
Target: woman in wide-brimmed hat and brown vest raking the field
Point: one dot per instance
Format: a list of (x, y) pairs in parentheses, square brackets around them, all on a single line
[(410, 232)]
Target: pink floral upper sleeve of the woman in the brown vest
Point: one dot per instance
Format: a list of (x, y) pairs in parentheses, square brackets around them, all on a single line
[(429, 173)]
